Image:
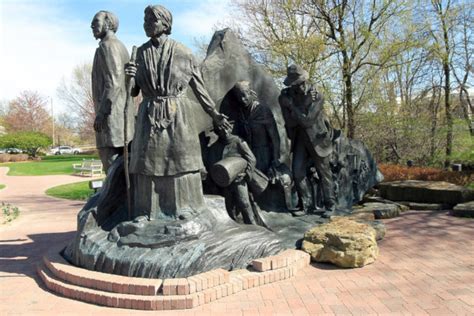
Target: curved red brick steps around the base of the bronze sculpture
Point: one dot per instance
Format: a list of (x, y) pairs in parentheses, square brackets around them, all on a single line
[(155, 294)]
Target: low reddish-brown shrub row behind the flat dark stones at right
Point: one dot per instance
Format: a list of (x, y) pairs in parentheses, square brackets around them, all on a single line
[(397, 173)]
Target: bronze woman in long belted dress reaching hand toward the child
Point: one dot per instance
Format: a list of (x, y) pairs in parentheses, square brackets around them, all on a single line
[(165, 158)]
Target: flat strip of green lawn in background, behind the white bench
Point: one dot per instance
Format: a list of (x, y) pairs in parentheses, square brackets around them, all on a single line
[(49, 165)]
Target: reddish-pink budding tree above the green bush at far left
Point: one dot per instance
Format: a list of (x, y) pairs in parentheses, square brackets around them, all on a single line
[(28, 112)]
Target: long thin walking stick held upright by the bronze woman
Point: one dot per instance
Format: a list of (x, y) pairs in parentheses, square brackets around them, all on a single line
[(130, 83)]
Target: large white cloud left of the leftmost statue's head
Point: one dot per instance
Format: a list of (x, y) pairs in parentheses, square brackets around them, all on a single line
[(39, 47)]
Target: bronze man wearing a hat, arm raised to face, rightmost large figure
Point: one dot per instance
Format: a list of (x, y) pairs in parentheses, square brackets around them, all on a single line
[(310, 135)]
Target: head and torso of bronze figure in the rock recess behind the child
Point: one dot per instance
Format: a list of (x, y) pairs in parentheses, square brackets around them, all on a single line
[(256, 125)]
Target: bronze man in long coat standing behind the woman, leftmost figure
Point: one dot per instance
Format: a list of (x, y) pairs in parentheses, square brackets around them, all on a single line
[(108, 89)]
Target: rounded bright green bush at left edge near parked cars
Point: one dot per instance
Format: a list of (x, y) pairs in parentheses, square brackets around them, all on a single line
[(29, 141)]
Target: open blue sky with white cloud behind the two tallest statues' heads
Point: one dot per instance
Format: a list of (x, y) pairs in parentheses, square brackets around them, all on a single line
[(42, 40)]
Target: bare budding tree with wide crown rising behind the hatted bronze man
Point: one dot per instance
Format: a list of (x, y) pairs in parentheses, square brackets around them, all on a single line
[(341, 42)]
